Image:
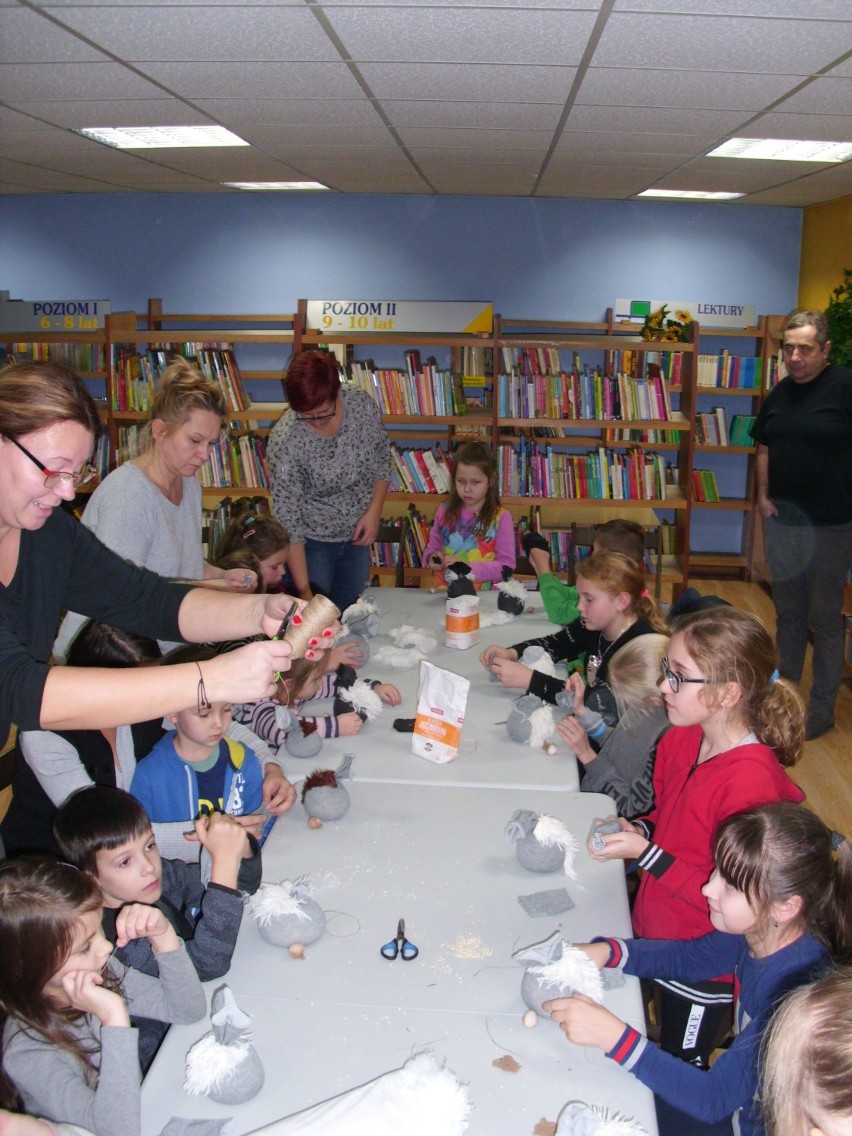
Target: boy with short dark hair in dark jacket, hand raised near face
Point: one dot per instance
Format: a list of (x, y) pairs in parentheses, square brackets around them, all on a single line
[(107, 833)]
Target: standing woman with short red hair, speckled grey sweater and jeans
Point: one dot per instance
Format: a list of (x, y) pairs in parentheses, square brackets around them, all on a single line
[(330, 465)]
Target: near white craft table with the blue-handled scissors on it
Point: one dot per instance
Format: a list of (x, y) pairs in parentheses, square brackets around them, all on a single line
[(344, 1015)]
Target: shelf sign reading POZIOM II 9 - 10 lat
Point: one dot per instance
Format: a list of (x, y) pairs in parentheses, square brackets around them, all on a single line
[(375, 318)]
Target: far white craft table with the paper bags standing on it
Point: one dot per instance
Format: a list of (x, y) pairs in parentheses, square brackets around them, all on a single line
[(487, 756)]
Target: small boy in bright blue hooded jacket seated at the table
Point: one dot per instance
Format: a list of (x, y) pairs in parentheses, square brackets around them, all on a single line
[(198, 770)]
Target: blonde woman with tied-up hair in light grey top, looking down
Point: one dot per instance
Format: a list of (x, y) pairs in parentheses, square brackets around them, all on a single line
[(149, 509)]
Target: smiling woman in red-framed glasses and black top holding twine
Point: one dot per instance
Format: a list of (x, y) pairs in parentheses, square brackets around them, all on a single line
[(51, 563)]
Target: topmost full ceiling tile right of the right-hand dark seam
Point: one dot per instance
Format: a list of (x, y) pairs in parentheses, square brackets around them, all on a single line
[(722, 44)]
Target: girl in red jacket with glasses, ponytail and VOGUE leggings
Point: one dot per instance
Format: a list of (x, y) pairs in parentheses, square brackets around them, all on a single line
[(736, 725)]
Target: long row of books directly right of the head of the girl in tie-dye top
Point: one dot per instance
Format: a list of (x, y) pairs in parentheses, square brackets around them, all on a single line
[(600, 474)]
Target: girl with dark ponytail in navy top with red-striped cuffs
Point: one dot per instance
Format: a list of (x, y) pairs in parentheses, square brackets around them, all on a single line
[(781, 908)]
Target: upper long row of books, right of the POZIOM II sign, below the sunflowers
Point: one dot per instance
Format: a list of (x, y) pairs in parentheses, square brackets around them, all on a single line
[(583, 396)]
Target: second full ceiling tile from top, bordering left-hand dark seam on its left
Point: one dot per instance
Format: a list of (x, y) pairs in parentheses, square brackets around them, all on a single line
[(263, 81)]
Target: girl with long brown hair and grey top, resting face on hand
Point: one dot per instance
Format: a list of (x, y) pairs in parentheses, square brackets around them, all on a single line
[(70, 1053)]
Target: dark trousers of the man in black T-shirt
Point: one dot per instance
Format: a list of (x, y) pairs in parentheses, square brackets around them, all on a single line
[(809, 567)]
